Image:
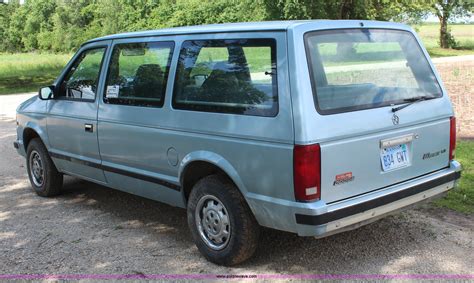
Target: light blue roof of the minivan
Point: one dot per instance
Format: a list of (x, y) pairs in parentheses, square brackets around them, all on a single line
[(241, 27)]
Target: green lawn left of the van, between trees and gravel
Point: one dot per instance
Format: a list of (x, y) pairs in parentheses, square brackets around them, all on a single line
[(26, 72)]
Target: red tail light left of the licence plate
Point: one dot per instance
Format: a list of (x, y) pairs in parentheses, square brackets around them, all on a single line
[(307, 172)]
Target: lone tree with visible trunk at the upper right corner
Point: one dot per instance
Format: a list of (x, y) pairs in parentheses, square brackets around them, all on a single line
[(446, 10)]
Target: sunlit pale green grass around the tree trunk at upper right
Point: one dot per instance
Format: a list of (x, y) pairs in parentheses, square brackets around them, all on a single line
[(463, 34)]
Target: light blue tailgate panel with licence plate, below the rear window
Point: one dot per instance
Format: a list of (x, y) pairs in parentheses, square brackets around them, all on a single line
[(373, 161)]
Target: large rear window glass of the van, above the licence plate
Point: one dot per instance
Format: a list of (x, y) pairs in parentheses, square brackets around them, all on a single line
[(355, 69)]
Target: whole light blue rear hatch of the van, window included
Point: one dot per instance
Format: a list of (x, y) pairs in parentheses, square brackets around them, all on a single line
[(381, 116)]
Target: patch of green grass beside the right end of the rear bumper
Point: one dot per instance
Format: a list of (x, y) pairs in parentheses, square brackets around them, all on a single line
[(462, 198)]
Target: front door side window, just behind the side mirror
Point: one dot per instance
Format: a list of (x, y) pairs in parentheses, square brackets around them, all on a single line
[(82, 80)]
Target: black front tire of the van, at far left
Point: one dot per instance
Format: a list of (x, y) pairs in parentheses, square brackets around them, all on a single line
[(48, 183)]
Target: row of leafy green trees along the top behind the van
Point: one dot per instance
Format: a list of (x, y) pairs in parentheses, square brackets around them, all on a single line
[(62, 25)]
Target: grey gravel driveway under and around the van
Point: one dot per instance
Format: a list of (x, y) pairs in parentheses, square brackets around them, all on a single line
[(92, 229)]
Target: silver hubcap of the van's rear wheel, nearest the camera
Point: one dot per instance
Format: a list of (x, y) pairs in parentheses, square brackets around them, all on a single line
[(213, 222)]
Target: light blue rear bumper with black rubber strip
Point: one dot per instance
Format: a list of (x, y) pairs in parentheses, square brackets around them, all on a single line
[(321, 220)]
